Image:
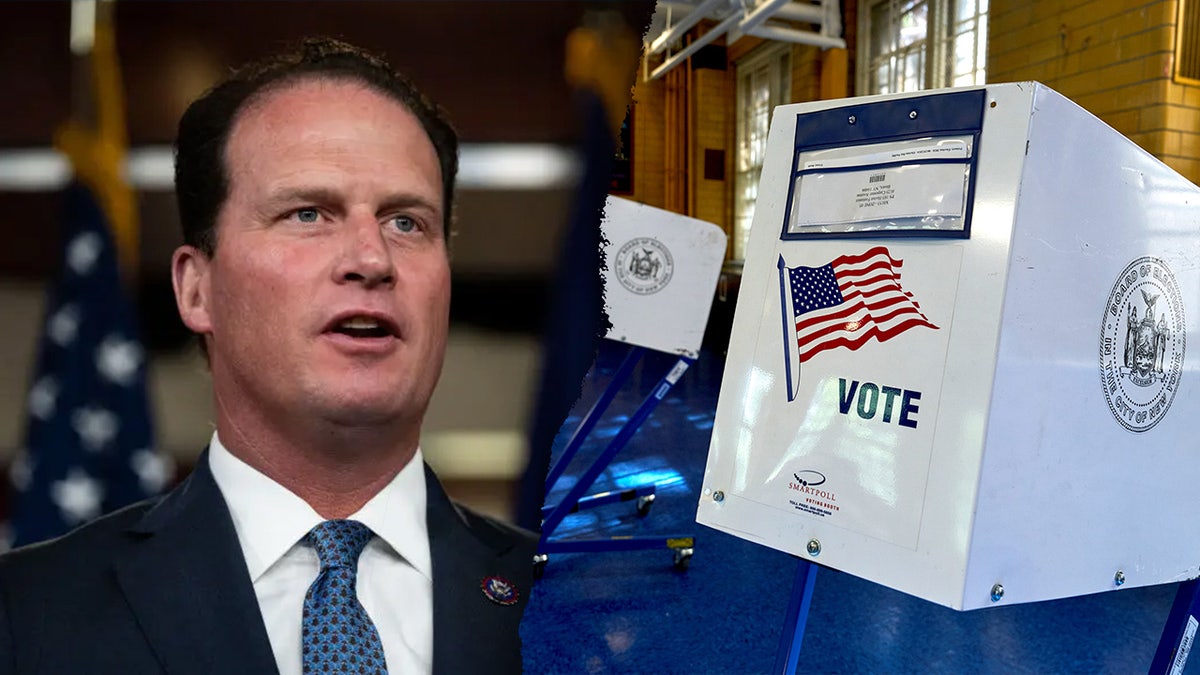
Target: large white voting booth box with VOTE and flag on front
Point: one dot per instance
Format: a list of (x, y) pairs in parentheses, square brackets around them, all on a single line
[(964, 360)]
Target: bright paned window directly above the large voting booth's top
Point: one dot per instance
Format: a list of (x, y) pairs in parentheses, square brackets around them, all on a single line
[(914, 45)]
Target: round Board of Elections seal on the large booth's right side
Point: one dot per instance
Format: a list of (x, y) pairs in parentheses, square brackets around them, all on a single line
[(1142, 344)]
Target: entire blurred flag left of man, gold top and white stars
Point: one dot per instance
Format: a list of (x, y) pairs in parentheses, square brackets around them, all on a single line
[(89, 441)]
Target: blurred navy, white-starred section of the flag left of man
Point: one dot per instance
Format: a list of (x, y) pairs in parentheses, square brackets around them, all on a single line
[(89, 438)]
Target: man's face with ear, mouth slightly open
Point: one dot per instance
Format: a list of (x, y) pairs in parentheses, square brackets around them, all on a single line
[(328, 296)]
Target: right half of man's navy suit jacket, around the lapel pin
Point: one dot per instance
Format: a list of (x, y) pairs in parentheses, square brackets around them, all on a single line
[(473, 634)]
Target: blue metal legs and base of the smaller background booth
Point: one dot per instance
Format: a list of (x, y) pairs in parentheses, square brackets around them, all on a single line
[(575, 499)]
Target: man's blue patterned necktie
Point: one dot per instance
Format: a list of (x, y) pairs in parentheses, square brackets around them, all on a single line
[(338, 635)]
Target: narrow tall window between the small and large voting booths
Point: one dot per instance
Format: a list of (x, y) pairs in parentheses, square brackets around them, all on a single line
[(765, 81)]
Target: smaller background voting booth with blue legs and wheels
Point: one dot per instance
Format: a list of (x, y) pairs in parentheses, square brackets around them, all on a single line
[(662, 273)]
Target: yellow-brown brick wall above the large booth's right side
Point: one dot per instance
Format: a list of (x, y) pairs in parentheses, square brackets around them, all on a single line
[(1112, 57)]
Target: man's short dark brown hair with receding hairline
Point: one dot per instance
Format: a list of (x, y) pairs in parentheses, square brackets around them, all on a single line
[(202, 178)]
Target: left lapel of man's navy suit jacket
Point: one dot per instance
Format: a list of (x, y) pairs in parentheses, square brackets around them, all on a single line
[(189, 588)]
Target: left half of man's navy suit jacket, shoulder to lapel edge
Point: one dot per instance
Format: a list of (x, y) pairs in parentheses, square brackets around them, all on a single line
[(159, 587)]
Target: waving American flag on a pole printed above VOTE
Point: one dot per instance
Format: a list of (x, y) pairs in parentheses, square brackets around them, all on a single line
[(843, 304)]
